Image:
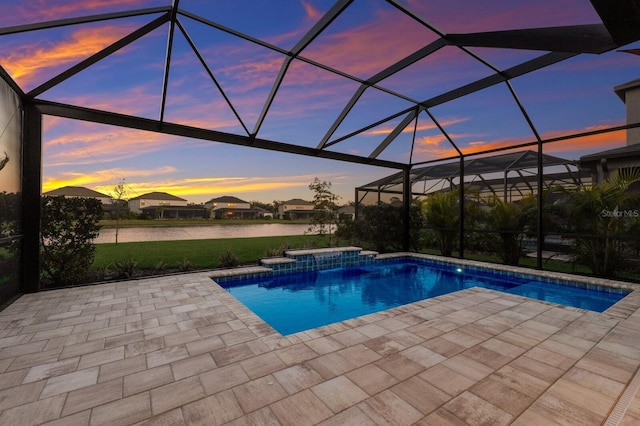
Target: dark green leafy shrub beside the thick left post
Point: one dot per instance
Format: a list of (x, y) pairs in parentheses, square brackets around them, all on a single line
[(69, 226)]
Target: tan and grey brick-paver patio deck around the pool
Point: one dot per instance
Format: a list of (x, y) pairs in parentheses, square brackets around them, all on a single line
[(181, 350)]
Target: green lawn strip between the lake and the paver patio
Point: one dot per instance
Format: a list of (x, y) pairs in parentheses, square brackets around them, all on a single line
[(202, 254)]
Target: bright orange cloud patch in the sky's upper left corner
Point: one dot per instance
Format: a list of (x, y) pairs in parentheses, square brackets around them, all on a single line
[(27, 63)]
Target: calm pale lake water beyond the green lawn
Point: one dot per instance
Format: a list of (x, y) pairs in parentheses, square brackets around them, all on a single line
[(161, 233)]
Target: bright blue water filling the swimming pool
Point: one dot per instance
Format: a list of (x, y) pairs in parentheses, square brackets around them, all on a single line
[(305, 300)]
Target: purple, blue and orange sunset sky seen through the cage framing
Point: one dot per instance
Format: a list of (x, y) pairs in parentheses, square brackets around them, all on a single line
[(573, 96)]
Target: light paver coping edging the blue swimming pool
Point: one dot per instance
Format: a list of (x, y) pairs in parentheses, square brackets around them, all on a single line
[(274, 340)]
